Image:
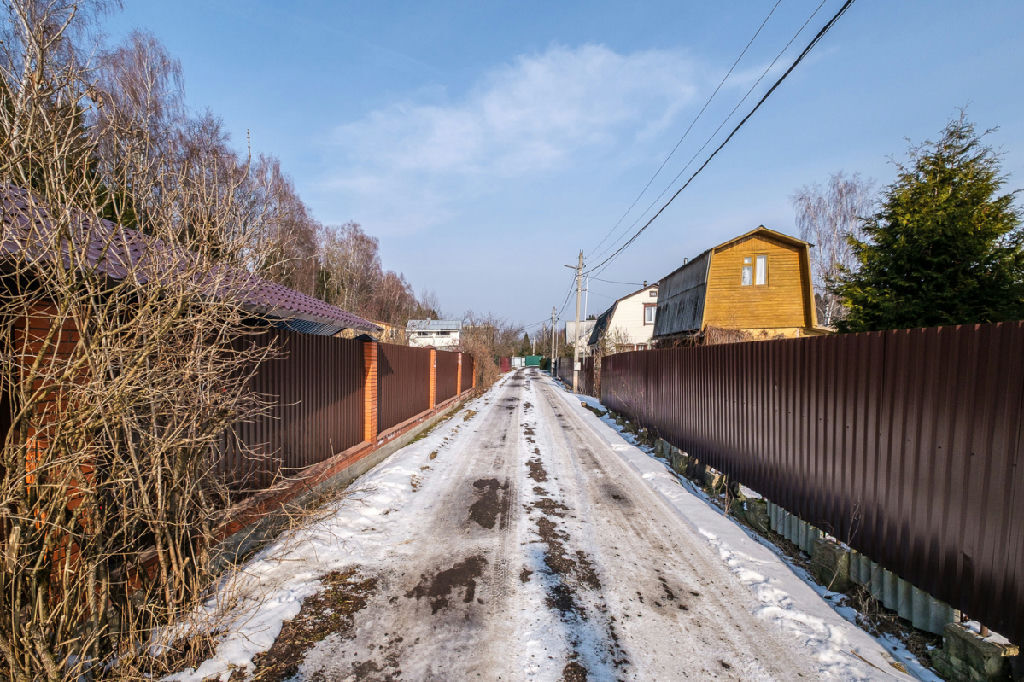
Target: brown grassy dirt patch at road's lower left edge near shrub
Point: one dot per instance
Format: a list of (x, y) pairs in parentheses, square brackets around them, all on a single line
[(329, 612)]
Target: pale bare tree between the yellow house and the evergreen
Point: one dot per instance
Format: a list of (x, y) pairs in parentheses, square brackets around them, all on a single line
[(829, 218)]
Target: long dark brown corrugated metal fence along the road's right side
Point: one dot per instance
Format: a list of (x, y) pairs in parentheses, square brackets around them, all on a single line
[(906, 445)]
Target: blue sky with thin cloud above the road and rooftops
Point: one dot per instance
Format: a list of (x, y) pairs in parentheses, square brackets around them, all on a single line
[(486, 144)]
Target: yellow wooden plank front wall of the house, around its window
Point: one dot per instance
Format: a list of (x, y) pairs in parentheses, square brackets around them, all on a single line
[(785, 303)]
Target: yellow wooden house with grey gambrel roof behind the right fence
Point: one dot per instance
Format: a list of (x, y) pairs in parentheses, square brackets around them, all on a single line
[(757, 285)]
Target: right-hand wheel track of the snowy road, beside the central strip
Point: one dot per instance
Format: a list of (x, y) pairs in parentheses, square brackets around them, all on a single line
[(661, 586)]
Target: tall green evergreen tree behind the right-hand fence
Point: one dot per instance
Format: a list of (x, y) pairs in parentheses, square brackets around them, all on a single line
[(946, 247)]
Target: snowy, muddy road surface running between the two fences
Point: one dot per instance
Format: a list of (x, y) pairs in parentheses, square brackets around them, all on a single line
[(527, 540)]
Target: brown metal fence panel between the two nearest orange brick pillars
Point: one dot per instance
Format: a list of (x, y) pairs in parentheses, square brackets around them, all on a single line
[(403, 383)]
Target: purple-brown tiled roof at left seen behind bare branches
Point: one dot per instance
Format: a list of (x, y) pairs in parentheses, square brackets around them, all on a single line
[(117, 251)]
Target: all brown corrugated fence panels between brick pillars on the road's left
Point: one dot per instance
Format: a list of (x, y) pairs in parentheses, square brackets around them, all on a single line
[(316, 390)]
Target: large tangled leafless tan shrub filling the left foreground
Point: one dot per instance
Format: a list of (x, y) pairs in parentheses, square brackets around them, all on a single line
[(124, 363)]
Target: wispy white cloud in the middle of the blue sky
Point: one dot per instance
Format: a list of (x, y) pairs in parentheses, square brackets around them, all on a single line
[(534, 116)]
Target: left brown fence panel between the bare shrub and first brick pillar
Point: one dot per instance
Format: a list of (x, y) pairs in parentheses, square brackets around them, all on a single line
[(316, 388)]
